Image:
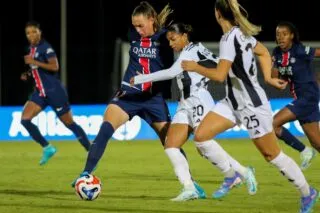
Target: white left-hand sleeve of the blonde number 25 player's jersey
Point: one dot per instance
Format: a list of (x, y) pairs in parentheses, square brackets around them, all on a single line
[(227, 49)]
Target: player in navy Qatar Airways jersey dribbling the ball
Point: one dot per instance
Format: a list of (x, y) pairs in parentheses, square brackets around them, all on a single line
[(147, 53)]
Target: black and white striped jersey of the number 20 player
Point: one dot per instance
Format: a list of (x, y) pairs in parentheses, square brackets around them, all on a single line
[(188, 82)]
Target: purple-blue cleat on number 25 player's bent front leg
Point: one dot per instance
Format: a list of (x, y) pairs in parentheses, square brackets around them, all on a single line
[(227, 185)]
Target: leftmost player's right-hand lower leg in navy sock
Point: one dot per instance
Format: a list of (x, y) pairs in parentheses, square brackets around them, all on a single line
[(68, 121)]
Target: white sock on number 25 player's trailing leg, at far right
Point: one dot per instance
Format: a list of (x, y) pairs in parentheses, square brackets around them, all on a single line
[(291, 170)]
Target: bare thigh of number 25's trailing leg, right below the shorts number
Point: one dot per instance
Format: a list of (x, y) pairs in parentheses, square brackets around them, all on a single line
[(268, 145)]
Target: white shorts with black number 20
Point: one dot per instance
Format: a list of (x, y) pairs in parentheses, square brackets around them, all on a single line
[(192, 110)]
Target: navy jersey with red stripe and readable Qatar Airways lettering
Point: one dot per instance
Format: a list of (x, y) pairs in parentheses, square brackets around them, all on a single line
[(147, 55)]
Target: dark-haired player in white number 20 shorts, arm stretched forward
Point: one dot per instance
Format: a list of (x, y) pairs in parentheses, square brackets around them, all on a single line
[(195, 102)]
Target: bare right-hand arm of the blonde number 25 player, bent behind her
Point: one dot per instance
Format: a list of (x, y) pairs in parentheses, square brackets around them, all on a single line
[(266, 66)]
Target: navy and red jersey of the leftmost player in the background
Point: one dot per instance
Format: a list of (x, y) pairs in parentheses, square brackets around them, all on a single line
[(43, 79)]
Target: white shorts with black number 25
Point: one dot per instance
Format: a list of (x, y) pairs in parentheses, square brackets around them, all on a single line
[(257, 120)]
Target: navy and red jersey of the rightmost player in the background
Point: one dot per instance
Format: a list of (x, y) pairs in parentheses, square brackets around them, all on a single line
[(295, 66)]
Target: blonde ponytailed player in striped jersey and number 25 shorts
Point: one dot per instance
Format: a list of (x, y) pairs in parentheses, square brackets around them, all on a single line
[(246, 101)]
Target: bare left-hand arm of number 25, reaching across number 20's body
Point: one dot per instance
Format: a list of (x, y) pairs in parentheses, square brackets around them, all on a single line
[(216, 74)]
